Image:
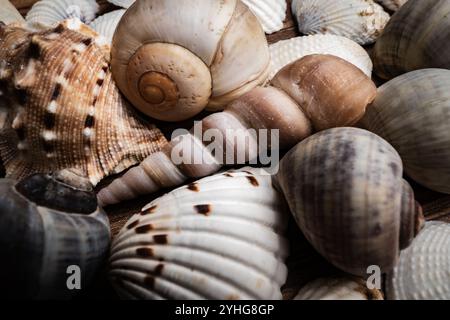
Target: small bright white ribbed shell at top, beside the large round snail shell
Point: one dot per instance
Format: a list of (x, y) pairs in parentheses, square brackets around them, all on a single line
[(270, 13)]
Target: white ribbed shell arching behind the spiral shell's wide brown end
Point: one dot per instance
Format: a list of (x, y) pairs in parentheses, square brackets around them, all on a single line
[(287, 51)]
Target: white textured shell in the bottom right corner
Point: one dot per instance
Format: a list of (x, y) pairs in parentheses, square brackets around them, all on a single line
[(423, 271)]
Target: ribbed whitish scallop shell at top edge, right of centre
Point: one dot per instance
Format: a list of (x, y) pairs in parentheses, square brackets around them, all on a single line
[(359, 20)]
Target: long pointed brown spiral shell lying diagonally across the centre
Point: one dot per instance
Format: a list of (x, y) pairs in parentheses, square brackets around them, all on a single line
[(292, 106)]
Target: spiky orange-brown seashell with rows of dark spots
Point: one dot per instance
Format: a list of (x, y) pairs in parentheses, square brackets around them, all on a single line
[(65, 110)]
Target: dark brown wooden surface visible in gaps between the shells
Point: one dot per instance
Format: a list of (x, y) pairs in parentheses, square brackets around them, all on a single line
[(304, 263)]
